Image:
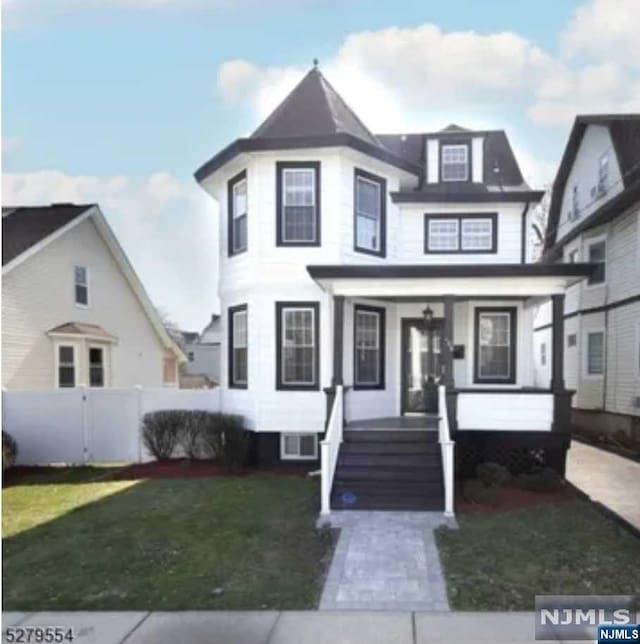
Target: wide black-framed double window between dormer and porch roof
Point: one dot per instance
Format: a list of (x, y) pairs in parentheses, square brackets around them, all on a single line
[(461, 233)]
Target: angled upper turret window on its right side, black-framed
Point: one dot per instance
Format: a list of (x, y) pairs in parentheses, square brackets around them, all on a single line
[(370, 215)]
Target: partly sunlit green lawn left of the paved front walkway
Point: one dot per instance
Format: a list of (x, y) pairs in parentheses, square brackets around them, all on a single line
[(78, 541)]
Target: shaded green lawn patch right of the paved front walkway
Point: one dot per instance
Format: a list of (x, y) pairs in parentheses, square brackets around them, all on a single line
[(501, 561)]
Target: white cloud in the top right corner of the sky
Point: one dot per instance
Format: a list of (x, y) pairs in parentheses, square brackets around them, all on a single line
[(606, 27)]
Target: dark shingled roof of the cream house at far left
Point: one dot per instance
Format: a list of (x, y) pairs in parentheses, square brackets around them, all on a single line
[(25, 226)]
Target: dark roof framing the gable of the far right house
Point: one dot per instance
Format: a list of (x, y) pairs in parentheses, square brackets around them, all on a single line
[(624, 130)]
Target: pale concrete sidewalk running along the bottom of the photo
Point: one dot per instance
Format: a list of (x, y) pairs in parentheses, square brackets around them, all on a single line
[(272, 627)]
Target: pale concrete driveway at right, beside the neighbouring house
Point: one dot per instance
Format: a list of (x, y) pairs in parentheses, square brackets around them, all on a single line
[(607, 478)]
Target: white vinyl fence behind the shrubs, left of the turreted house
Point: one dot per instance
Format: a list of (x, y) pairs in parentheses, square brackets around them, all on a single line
[(84, 425)]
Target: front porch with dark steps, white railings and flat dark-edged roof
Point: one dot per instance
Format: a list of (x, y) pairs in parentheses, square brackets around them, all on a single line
[(449, 353)]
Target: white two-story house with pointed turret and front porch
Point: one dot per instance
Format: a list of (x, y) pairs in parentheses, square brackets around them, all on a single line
[(358, 274)]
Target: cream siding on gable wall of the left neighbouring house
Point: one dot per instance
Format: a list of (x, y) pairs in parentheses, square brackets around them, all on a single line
[(39, 295)]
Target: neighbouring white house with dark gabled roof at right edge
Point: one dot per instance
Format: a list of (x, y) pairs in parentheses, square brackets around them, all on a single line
[(595, 217)]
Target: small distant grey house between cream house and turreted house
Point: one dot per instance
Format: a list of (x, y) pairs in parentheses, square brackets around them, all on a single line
[(203, 355)]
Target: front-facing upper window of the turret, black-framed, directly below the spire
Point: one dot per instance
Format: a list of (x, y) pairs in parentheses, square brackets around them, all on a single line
[(298, 203)]
